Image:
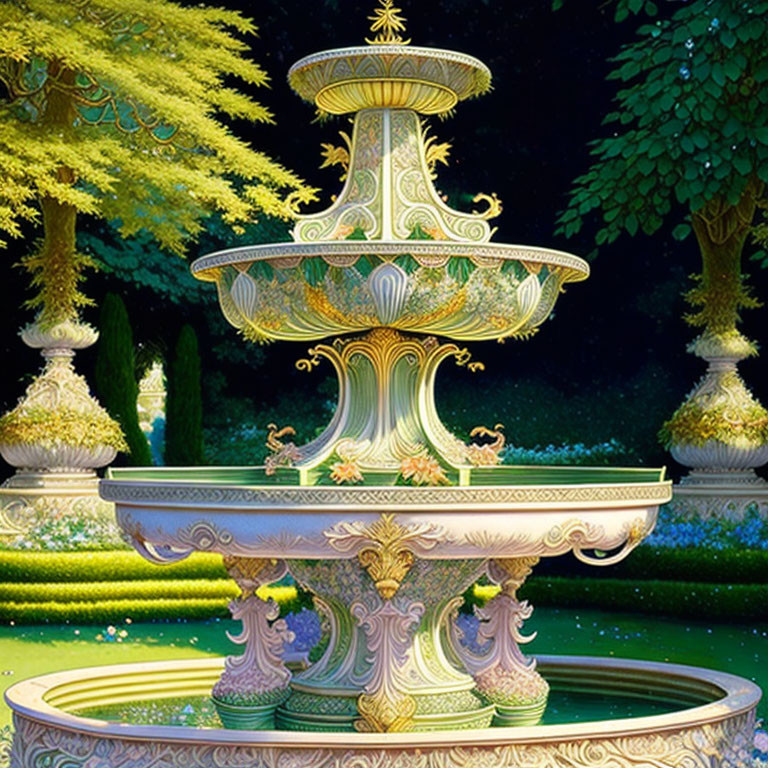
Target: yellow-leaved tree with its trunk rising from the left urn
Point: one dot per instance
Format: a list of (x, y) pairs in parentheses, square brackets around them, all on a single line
[(113, 109)]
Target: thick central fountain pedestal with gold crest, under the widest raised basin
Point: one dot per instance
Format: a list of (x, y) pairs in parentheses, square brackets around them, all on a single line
[(385, 668)]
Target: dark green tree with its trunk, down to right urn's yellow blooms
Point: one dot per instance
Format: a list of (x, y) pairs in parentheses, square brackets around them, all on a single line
[(688, 144)]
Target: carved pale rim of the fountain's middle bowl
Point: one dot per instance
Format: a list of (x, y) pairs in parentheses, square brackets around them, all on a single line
[(390, 248)]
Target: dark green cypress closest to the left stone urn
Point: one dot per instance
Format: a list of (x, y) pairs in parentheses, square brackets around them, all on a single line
[(115, 376)]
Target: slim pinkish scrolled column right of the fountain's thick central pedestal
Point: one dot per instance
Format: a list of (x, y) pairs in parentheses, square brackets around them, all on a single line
[(500, 670)]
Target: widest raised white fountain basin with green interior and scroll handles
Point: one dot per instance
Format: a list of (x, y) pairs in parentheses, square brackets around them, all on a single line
[(510, 512)]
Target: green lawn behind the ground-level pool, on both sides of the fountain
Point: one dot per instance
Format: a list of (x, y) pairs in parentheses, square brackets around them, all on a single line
[(737, 648)]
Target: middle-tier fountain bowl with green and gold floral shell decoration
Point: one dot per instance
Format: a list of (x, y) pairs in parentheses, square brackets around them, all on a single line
[(308, 291)]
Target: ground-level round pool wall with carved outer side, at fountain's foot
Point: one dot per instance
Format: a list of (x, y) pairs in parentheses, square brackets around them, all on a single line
[(709, 721)]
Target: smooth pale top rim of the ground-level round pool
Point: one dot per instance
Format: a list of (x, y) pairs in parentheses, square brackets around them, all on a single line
[(30, 699)]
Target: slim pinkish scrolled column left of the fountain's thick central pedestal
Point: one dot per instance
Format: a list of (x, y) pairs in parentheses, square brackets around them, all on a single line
[(256, 682)]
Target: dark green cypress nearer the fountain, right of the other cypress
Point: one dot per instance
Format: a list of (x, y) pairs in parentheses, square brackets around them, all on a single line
[(184, 406)]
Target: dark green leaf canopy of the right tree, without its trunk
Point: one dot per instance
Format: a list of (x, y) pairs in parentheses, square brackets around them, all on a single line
[(691, 126)]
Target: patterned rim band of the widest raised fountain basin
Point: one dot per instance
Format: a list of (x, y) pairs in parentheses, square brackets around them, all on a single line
[(168, 493)]
